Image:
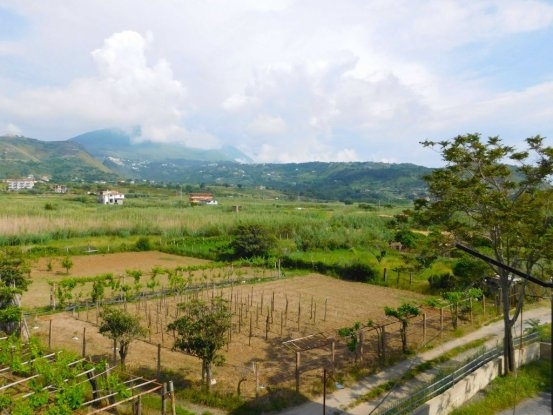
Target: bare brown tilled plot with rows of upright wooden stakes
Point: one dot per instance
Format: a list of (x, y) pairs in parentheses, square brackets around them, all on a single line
[(272, 321)]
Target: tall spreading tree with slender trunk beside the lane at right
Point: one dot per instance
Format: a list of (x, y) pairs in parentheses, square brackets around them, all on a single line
[(497, 207)]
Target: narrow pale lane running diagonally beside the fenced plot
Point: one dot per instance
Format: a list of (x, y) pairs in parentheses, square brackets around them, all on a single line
[(339, 400)]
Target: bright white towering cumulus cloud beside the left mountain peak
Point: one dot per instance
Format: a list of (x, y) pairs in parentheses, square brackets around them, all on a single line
[(126, 91)]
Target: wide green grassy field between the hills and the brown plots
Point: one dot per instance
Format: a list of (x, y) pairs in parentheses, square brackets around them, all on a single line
[(50, 225)]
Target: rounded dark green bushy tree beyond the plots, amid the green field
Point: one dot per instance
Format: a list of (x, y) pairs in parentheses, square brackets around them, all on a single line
[(252, 240)]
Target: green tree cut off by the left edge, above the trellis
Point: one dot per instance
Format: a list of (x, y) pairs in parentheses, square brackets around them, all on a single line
[(14, 280)]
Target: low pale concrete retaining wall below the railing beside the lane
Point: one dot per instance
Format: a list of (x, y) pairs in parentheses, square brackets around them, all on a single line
[(465, 389)]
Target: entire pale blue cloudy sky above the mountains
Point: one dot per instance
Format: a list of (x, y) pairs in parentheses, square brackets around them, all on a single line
[(282, 80)]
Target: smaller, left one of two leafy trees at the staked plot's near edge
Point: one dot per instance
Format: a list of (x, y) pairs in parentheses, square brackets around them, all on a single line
[(122, 327)]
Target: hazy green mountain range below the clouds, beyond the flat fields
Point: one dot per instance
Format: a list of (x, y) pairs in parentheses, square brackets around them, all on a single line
[(113, 155)]
